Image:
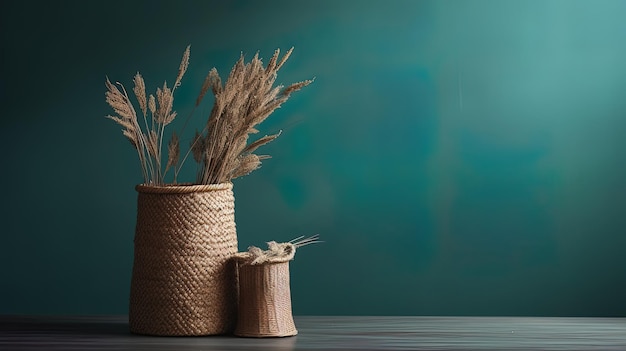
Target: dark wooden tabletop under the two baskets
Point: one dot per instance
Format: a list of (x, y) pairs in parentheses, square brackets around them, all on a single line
[(329, 333)]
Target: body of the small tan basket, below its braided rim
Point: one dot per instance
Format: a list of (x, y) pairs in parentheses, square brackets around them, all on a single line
[(265, 301)]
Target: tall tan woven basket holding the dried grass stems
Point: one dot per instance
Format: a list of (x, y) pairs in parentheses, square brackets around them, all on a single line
[(184, 280)]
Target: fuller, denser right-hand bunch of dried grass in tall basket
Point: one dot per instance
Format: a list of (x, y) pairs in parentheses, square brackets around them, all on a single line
[(246, 99)]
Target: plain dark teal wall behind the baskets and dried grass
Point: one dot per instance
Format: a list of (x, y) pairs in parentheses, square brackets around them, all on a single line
[(458, 157)]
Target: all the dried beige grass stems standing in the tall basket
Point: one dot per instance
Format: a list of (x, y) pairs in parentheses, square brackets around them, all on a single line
[(221, 149)]
